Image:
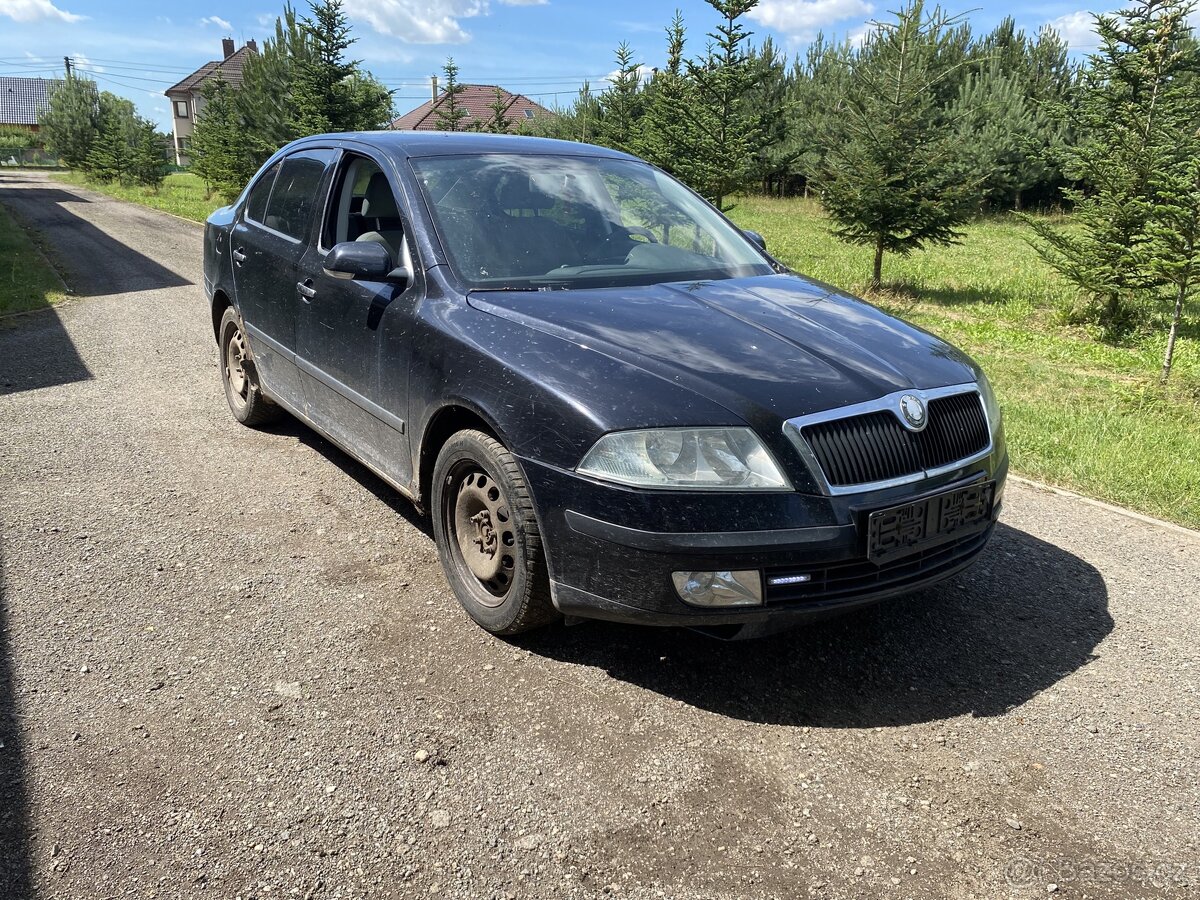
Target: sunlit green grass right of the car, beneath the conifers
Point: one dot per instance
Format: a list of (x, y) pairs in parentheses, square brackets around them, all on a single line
[(1079, 413)]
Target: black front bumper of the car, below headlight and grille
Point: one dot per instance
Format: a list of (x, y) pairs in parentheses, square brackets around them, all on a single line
[(613, 550)]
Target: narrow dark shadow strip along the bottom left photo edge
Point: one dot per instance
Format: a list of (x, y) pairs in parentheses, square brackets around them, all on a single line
[(16, 853)]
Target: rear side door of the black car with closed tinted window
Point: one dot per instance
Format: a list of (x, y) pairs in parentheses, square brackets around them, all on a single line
[(268, 242)]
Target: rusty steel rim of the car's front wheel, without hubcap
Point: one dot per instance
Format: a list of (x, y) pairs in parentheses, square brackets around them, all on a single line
[(484, 535)]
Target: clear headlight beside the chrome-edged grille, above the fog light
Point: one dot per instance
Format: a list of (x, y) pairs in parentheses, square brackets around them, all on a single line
[(699, 459)]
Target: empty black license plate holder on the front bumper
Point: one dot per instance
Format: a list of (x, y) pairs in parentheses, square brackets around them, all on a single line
[(913, 527)]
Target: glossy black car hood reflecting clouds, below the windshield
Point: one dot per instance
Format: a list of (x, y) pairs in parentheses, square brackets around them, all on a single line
[(770, 347)]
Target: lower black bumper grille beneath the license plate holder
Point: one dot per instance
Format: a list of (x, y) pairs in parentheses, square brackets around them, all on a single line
[(861, 578)]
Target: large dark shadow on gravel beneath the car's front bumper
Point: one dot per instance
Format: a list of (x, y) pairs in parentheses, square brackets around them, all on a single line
[(1025, 616)]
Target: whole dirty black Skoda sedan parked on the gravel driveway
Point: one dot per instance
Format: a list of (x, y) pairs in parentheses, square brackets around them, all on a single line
[(614, 404)]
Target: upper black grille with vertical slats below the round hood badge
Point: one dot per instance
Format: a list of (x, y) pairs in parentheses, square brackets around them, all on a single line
[(875, 447)]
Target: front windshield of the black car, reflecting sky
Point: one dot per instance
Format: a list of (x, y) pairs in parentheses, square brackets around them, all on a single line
[(525, 223)]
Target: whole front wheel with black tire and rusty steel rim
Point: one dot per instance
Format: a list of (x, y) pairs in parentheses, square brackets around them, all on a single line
[(488, 536)]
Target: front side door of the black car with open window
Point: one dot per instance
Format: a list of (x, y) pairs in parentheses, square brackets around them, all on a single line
[(352, 335)]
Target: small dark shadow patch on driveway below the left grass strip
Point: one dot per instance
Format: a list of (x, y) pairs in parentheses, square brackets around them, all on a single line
[(38, 352)]
